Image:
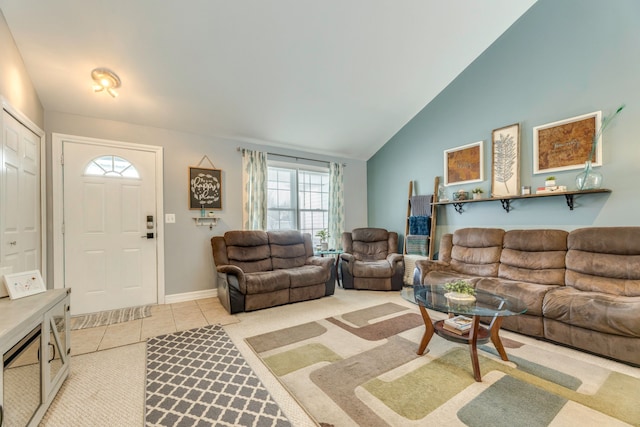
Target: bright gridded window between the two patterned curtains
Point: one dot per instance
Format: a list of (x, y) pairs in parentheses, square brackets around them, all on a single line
[(298, 199)]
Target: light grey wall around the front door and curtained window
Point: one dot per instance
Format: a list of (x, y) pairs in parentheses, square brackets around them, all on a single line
[(188, 260)]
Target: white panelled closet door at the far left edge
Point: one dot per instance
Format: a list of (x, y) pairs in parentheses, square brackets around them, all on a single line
[(20, 237)]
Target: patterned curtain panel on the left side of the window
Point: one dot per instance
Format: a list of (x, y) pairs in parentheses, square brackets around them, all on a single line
[(254, 195)]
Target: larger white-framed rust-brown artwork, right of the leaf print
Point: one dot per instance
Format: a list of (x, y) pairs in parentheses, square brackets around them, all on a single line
[(566, 144)]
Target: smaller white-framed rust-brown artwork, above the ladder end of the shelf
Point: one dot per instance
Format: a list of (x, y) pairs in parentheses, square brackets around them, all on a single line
[(463, 164)]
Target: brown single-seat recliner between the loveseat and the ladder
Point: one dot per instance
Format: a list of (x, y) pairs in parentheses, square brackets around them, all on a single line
[(371, 260)]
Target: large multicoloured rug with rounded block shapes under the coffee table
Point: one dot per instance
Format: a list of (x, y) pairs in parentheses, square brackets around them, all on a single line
[(361, 368)]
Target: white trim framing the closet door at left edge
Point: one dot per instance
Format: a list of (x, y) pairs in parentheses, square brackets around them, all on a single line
[(22, 118)]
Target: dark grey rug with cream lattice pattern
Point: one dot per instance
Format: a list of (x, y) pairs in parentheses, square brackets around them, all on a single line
[(199, 378)]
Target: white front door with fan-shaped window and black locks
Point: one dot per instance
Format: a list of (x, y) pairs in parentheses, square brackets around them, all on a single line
[(110, 226)]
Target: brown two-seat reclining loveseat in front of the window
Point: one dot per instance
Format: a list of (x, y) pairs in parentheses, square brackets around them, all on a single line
[(259, 269)]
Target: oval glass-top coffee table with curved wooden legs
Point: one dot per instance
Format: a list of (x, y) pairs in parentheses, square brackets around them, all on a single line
[(486, 305)]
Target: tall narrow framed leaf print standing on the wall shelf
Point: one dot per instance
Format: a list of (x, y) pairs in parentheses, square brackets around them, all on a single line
[(505, 161)]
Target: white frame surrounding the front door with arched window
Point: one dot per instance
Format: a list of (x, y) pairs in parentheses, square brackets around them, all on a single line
[(58, 202)]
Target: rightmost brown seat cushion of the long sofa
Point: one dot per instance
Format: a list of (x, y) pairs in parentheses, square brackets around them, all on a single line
[(610, 314)]
